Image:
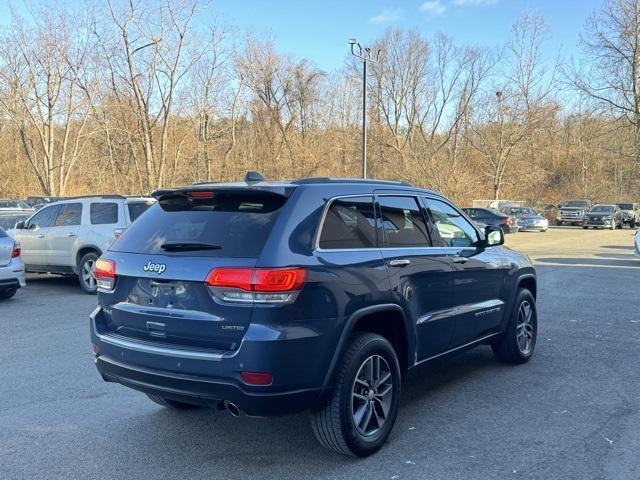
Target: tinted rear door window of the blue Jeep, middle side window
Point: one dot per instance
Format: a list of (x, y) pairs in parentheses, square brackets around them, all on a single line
[(402, 222)]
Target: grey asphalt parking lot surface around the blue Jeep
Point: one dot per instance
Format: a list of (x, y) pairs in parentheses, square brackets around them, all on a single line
[(573, 412)]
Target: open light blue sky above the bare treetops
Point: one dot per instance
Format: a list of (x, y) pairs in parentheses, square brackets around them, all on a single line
[(318, 30)]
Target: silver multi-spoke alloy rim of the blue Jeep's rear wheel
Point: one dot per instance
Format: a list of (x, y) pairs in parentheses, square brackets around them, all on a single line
[(371, 395)]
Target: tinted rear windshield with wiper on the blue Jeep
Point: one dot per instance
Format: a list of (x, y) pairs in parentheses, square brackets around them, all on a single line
[(238, 224)]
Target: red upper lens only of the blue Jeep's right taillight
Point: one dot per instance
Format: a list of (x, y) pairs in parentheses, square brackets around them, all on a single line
[(258, 279)]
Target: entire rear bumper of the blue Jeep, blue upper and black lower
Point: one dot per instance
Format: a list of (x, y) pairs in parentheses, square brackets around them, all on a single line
[(299, 367)]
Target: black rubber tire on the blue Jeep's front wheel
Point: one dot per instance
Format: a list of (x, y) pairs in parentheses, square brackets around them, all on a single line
[(509, 349)]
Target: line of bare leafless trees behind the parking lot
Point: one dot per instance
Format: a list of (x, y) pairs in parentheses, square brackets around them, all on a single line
[(129, 97)]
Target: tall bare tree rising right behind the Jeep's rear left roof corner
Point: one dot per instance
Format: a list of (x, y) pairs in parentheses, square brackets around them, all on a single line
[(148, 62)]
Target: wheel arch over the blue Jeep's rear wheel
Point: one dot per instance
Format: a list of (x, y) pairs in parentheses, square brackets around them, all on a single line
[(387, 320)]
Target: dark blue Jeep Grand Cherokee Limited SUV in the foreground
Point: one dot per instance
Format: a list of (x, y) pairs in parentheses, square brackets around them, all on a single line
[(319, 294)]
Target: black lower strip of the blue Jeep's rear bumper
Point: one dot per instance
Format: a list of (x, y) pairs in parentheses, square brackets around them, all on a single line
[(207, 391)]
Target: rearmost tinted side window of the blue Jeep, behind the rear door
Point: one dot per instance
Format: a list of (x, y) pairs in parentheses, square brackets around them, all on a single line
[(349, 223)]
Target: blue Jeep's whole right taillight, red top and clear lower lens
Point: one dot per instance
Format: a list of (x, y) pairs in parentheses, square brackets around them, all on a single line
[(256, 285)]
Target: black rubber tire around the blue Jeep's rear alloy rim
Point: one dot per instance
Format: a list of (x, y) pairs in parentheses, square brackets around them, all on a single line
[(333, 422)]
